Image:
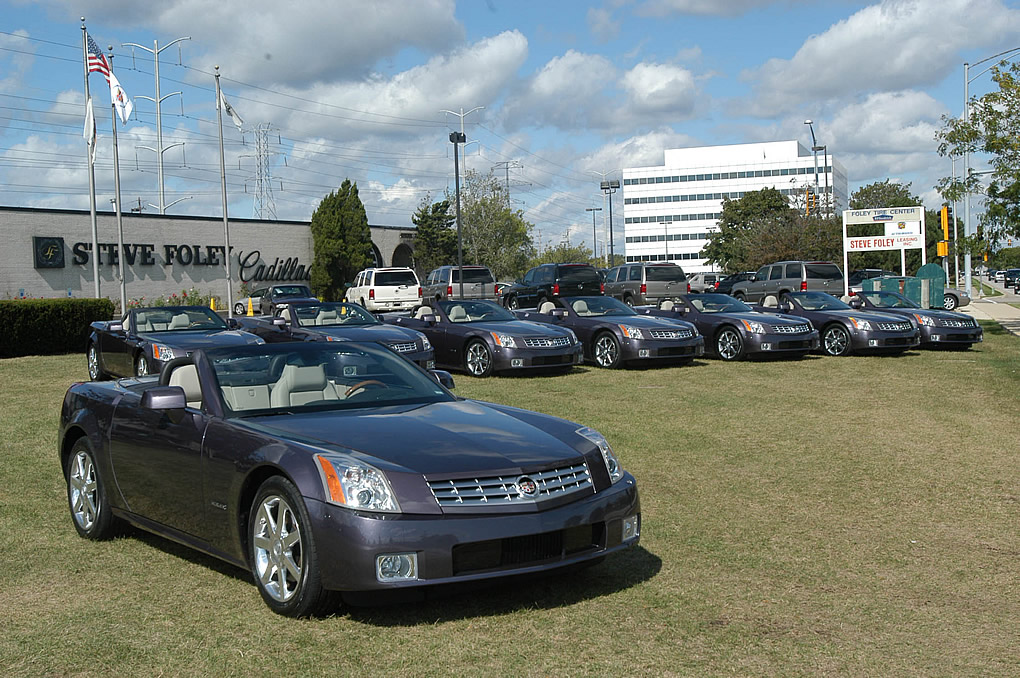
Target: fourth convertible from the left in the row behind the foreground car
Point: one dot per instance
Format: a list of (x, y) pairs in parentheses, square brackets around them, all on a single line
[(615, 334)]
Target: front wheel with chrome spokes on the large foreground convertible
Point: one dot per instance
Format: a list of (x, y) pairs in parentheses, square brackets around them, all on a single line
[(282, 552)]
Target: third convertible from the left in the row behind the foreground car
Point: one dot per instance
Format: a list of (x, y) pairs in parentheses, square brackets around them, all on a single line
[(481, 338)]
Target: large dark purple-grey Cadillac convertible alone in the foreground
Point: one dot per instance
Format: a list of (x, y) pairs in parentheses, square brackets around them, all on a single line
[(333, 467)]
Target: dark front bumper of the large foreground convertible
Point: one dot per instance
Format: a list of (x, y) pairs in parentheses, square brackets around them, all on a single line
[(460, 548)]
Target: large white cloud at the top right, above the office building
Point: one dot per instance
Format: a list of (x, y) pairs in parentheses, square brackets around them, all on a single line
[(894, 45)]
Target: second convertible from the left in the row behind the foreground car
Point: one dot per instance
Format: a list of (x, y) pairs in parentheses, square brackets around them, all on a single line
[(331, 322)]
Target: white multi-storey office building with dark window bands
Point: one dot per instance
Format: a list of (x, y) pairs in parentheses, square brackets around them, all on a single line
[(670, 211)]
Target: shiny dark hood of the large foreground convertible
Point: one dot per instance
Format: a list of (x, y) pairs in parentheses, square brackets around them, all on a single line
[(462, 437)]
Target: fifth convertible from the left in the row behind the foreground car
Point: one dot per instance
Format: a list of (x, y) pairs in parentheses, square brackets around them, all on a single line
[(734, 331)]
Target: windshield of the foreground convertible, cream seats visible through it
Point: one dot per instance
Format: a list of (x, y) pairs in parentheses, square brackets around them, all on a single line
[(286, 379)]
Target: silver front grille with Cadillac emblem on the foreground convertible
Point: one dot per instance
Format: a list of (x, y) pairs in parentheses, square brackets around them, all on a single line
[(502, 491)]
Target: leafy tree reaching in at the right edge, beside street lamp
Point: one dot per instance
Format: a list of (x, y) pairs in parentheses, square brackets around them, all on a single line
[(993, 129)]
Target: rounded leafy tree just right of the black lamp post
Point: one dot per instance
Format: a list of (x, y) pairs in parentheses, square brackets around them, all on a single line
[(493, 235)]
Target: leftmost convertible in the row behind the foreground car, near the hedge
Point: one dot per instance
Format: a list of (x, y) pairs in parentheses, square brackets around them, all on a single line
[(148, 338)]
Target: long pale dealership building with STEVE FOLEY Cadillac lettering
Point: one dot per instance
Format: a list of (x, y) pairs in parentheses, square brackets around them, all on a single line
[(48, 253)]
